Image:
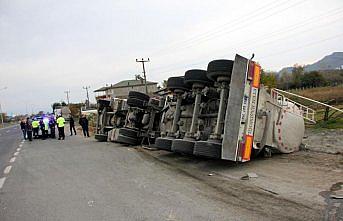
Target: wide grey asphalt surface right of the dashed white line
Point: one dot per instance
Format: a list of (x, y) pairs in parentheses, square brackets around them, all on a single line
[(81, 179)]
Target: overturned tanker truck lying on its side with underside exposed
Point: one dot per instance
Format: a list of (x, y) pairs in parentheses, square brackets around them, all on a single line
[(222, 112)]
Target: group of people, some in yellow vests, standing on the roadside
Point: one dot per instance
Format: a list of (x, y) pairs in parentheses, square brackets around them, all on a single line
[(31, 127)]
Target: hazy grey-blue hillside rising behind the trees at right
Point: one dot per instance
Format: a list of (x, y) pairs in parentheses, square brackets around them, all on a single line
[(329, 62)]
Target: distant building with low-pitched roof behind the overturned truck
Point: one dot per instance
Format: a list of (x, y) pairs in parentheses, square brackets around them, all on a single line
[(121, 89)]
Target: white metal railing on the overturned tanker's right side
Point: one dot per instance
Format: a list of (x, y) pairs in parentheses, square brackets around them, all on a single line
[(293, 106)]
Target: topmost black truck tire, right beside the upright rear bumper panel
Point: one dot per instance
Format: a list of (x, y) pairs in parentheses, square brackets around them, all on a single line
[(219, 68)]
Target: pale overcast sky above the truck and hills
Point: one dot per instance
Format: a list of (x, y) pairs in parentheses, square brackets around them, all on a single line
[(49, 47)]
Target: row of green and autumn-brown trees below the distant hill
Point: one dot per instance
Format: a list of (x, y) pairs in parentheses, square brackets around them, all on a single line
[(301, 79)]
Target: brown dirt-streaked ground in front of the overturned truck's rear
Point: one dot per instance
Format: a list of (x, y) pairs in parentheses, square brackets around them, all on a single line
[(286, 189)]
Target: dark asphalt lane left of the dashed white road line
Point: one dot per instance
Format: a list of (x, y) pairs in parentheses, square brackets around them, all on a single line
[(9, 141)]
